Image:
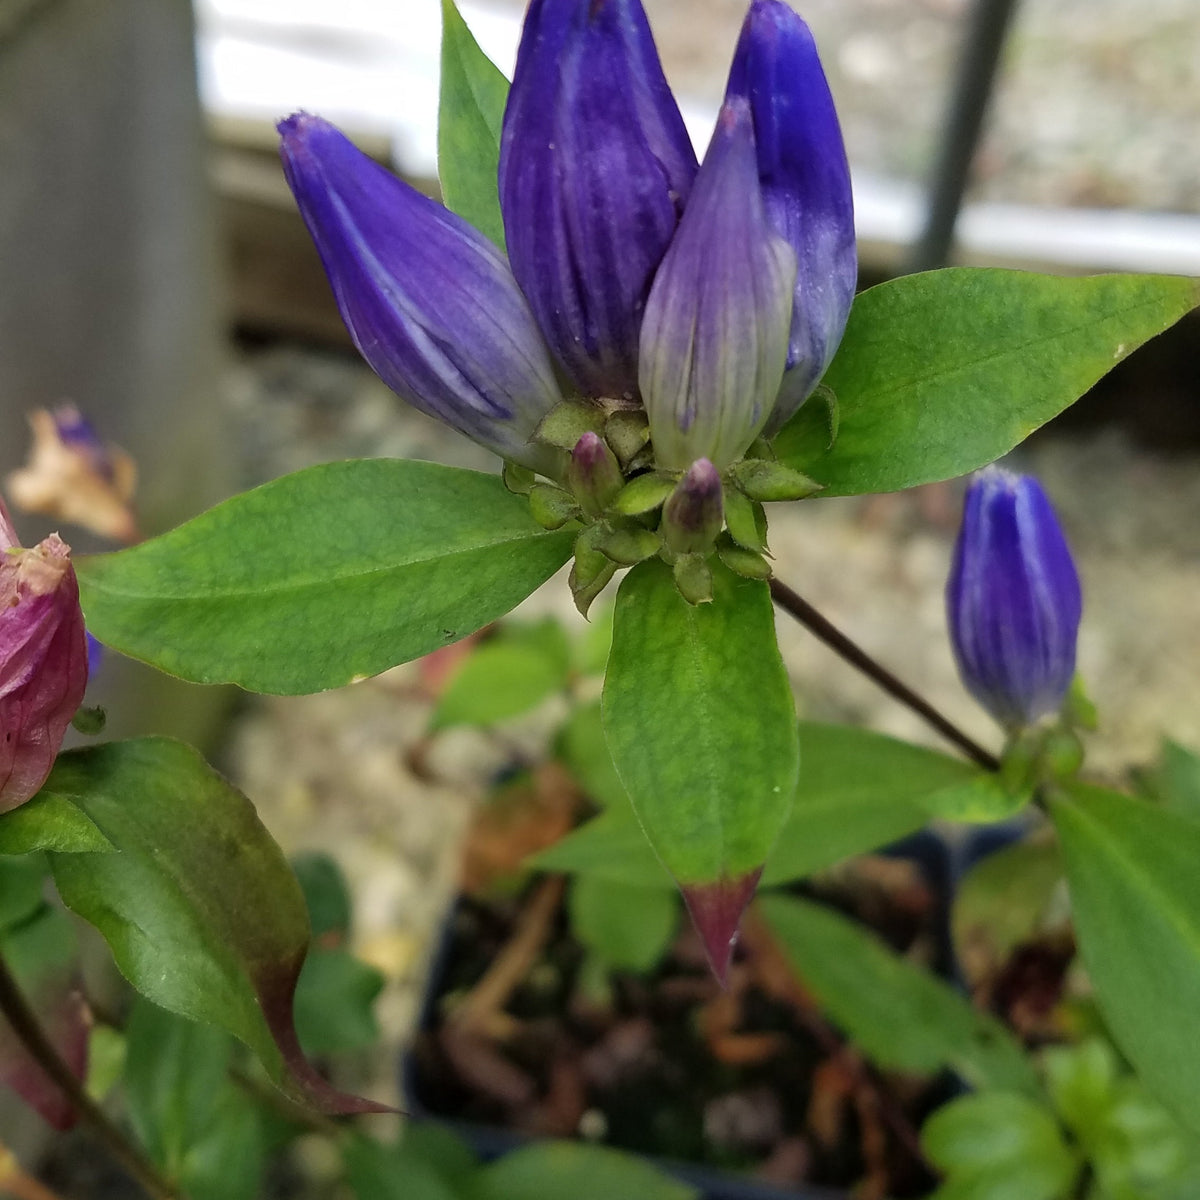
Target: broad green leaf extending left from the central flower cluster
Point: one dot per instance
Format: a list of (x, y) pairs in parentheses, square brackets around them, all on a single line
[(325, 577)]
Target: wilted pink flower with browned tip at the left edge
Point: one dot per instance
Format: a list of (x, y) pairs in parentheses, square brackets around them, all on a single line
[(44, 659)]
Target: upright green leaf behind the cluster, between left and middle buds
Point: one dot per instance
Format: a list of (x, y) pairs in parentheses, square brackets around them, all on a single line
[(471, 111)]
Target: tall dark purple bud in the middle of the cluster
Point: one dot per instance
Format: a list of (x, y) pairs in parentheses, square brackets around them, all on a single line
[(596, 167)]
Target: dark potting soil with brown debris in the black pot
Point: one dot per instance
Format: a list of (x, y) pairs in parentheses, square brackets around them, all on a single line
[(751, 1081)]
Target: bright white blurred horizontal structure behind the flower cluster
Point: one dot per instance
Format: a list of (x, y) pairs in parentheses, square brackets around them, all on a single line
[(373, 68)]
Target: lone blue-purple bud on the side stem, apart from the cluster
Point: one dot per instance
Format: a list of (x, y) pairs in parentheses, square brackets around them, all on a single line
[(1013, 599)]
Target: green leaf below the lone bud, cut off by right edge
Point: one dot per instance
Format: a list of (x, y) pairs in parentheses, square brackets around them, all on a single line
[(1135, 883)]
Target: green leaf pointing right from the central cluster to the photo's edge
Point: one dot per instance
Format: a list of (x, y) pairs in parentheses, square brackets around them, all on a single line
[(943, 373)]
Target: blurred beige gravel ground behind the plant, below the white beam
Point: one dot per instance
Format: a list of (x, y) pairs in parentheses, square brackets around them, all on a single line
[(333, 771)]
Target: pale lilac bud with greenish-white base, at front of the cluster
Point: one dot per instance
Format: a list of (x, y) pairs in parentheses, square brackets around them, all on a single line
[(715, 338)]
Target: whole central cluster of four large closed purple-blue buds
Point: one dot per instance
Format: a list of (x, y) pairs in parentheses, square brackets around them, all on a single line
[(715, 298)]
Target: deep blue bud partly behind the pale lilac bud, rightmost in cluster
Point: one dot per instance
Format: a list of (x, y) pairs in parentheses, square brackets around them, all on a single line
[(806, 182)]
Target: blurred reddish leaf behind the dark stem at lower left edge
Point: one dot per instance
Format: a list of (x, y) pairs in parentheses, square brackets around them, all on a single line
[(41, 956)]
